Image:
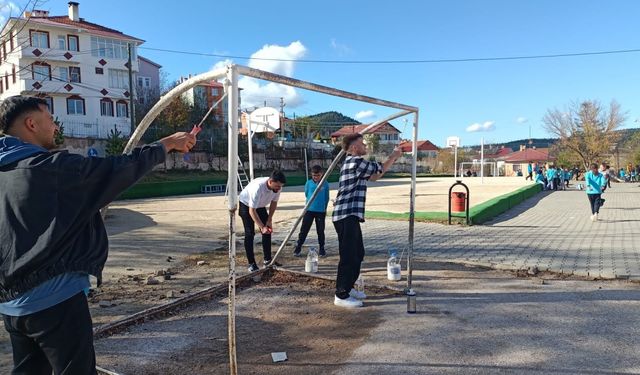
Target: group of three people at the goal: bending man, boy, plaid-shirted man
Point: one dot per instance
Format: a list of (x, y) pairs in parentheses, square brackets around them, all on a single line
[(348, 213)]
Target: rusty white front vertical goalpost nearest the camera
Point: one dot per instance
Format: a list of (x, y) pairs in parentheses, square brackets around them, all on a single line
[(232, 181)]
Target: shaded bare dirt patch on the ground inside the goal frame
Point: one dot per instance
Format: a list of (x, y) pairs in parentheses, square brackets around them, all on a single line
[(281, 313)]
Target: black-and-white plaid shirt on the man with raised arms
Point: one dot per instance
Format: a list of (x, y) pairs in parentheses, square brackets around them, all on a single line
[(353, 187)]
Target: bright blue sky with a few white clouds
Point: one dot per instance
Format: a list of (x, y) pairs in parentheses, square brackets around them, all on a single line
[(452, 97)]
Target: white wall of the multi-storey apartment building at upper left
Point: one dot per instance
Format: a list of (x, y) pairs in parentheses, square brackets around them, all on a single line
[(92, 123)]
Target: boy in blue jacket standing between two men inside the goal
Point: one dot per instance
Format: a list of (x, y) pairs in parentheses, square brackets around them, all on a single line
[(317, 211)]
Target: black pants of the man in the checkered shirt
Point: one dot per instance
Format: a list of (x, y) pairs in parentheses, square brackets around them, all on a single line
[(351, 250)]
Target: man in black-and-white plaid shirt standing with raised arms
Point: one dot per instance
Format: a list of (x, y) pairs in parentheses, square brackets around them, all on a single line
[(348, 213)]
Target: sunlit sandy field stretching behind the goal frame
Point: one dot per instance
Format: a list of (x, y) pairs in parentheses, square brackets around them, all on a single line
[(170, 235)]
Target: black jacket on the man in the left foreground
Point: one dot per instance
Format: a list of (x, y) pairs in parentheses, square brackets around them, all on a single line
[(49, 213)]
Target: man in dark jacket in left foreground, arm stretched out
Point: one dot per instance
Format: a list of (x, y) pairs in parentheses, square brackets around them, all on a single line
[(52, 236)]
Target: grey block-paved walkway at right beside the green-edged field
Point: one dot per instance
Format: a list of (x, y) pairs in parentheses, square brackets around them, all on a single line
[(551, 231)]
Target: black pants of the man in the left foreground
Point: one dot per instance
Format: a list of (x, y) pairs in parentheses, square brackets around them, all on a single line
[(59, 338)]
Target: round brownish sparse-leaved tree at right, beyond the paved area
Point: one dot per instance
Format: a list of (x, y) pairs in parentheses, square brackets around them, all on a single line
[(585, 129)]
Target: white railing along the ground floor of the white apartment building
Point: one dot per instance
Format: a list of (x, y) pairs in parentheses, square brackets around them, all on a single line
[(94, 128)]
